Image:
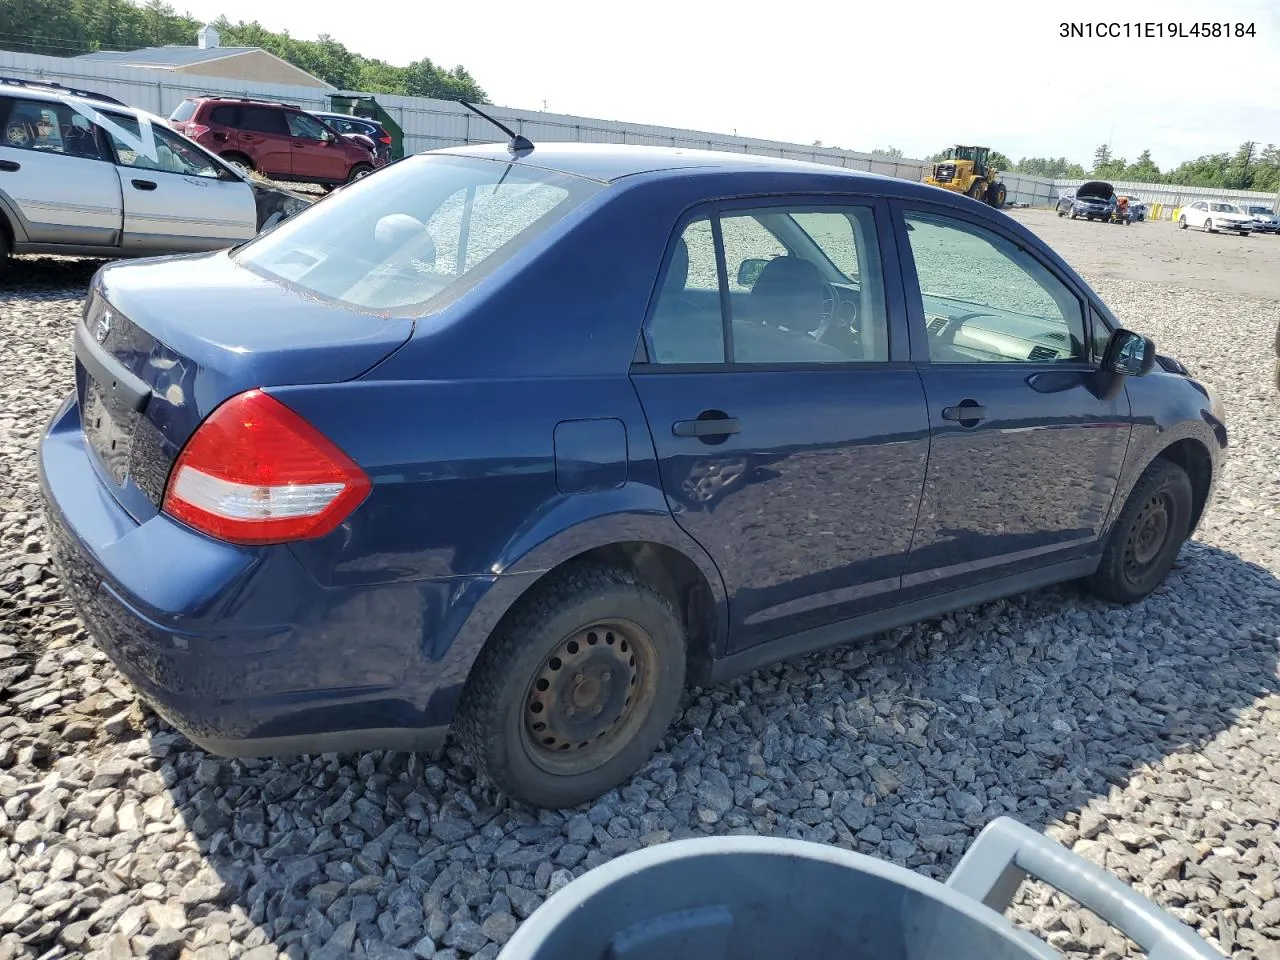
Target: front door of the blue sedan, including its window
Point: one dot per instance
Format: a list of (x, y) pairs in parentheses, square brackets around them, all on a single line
[(1027, 447)]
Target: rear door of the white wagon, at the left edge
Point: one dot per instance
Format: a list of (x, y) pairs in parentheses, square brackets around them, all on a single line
[(57, 182)]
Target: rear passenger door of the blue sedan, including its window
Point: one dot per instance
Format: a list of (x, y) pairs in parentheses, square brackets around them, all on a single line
[(792, 431)]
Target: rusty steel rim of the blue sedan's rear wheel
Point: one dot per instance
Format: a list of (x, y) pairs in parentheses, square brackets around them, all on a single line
[(589, 697)]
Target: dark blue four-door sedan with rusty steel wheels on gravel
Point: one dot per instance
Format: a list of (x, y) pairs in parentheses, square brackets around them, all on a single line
[(523, 442)]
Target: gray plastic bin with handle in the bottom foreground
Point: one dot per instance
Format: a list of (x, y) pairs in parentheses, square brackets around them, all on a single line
[(769, 899)]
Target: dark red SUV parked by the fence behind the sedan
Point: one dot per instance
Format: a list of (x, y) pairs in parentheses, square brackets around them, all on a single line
[(281, 141)]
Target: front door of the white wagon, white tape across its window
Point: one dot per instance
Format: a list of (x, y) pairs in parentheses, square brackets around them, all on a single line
[(180, 199)]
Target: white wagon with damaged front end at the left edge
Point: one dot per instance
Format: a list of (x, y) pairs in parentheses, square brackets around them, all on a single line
[(85, 175)]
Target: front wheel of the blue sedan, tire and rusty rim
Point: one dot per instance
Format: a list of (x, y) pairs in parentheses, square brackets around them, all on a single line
[(1148, 537)]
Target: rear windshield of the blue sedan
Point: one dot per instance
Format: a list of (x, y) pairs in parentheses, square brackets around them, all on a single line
[(415, 234)]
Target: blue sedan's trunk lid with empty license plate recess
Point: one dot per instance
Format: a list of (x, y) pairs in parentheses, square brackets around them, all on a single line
[(162, 344)]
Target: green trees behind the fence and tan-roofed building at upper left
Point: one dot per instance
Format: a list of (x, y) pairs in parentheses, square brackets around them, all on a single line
[(74, 28)]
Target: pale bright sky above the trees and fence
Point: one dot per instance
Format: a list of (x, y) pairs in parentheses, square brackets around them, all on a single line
[(911, 75)]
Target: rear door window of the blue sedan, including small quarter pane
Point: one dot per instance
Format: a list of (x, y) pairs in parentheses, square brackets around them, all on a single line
[(803, 286)]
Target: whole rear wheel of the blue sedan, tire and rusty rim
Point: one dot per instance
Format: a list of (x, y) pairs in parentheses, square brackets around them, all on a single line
[(531, 726)]
